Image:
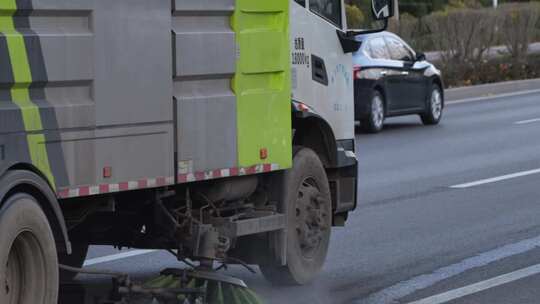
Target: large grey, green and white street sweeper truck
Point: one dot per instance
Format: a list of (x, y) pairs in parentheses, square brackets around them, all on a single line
[(219, 130)]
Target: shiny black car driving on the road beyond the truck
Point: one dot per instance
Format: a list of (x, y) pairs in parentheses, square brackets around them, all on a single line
[(390, 79)]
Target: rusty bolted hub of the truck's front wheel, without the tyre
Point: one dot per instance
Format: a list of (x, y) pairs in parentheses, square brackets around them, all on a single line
[(310, 218)]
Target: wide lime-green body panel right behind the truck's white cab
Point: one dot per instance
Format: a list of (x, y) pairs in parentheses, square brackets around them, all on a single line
[(262, 82)]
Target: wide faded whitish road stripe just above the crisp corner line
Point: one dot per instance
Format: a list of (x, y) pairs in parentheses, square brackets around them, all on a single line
[(393, 293)]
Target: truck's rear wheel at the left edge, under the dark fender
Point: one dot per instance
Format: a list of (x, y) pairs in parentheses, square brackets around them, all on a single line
[(28, 261)]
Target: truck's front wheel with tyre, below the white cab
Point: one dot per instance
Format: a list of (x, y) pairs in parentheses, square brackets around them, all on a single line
[(306, 195)]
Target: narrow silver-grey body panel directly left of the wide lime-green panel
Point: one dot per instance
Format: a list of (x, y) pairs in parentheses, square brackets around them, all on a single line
[(205, 63)]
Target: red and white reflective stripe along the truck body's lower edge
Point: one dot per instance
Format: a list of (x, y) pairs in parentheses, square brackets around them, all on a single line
[(163, 181)]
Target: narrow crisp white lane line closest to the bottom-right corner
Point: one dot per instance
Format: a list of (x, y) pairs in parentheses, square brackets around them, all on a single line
[(480, 286)]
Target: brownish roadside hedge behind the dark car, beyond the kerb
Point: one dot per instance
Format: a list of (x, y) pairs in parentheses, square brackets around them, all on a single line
[(466, 30)]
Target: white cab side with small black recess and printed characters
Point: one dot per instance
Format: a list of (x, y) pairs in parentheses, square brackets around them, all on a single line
[(322, 74)]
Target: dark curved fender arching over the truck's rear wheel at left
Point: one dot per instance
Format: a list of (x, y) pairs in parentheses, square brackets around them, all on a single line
[(31, 183)]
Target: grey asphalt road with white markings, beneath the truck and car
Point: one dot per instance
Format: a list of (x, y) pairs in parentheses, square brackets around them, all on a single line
[(413, 236)]
